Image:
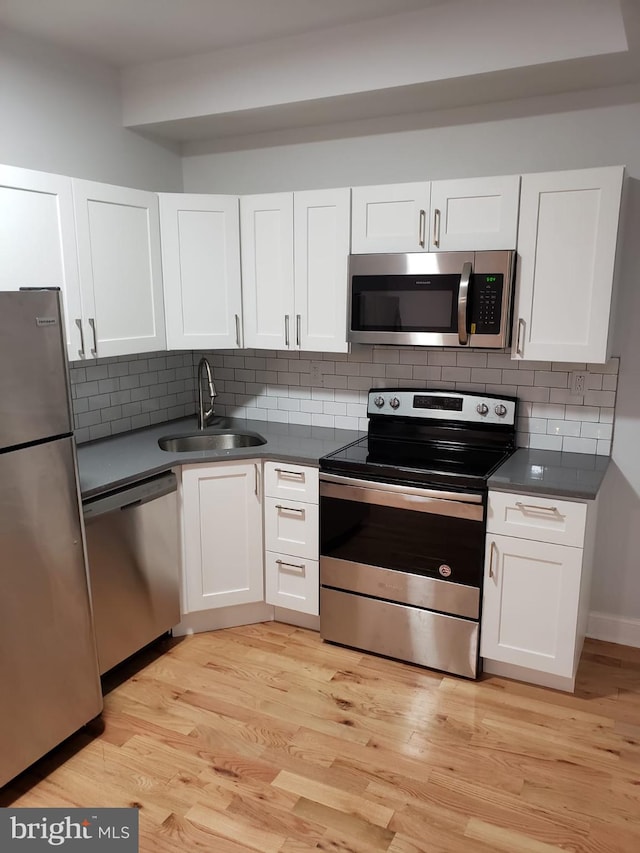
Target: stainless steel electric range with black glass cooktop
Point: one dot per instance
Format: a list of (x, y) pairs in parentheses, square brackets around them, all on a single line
[(402, 526)]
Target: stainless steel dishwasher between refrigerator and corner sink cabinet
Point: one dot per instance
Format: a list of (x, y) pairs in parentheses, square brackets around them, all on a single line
[(132, 545)]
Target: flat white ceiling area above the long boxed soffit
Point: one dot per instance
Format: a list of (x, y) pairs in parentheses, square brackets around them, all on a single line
[(124, 32)]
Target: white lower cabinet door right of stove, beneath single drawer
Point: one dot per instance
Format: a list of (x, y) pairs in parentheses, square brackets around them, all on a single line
[(530, 604)]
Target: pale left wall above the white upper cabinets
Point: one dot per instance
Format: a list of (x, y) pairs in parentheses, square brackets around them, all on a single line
[(62, 113)]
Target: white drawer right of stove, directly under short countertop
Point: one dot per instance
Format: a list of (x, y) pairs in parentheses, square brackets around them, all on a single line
[(532, 517)]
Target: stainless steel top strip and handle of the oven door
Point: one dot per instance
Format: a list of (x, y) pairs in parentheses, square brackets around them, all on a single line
[(400, 497)]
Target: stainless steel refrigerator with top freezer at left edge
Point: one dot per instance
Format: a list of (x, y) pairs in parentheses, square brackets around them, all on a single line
[(49, 682)]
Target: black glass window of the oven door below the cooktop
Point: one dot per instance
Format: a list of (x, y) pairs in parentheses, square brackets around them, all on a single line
[(402, 539)]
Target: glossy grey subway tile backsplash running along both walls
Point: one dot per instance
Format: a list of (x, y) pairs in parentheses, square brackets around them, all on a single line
[(113, 395)]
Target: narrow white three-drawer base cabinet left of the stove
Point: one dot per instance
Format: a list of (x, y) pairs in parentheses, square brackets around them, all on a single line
[(291, 537)]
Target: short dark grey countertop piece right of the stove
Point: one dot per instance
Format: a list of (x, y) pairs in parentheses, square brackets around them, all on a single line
[(551, 472)]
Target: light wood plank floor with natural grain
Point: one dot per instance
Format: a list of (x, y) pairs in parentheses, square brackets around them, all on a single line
[(264, 738)]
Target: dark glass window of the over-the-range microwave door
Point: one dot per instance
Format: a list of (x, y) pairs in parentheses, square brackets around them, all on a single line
[(400, 304)]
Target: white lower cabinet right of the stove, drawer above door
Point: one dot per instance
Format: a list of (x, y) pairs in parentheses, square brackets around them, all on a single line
[(536, 588)]
